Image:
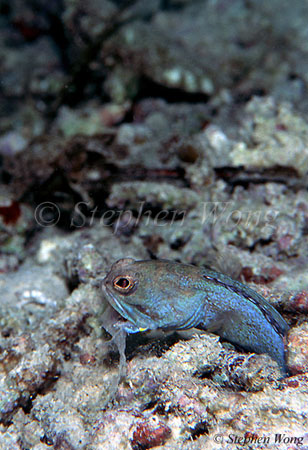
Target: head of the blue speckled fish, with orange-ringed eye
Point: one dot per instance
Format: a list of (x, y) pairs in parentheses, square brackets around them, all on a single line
[(148, 293)]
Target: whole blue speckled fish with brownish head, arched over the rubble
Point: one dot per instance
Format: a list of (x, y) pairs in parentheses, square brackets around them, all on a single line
[(161, 294)]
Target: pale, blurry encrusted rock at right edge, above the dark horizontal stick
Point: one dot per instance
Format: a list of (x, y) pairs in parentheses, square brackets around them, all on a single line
[(273, 129)]
